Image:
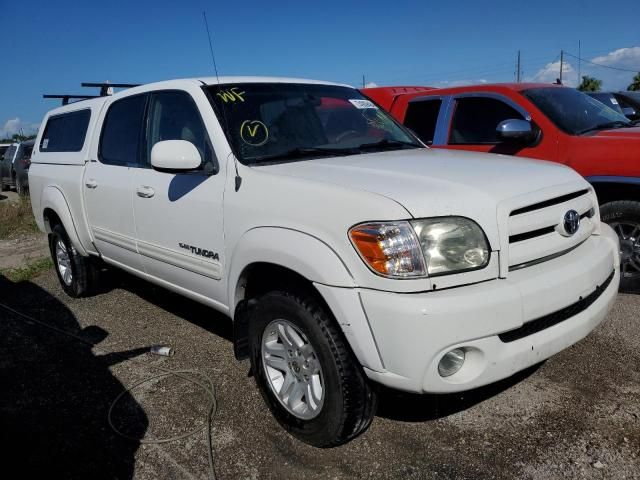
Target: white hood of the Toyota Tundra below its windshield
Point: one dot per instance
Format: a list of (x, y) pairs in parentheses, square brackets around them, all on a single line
[(435, 182)]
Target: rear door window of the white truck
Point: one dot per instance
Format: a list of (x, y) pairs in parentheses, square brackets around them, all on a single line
[(122, 132)]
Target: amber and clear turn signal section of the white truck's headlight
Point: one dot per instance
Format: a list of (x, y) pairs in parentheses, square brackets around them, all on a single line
[(390, 249)]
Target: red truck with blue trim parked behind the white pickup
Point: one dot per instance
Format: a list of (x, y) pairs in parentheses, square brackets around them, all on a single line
[(548, 122)]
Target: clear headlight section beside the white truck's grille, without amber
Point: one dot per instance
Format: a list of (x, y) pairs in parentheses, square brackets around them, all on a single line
[(451, 244)]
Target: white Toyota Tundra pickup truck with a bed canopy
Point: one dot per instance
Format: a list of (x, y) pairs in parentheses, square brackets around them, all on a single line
[(347, 253)]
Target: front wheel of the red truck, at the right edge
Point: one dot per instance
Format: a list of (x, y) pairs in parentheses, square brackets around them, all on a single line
[(624, 217)]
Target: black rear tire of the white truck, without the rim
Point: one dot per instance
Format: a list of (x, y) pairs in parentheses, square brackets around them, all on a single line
[(84, 271)]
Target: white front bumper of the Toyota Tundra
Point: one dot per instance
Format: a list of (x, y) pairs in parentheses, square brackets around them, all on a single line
[(412, 332)]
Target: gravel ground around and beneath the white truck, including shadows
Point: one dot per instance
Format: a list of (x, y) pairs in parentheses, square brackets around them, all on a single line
[(576, 416)]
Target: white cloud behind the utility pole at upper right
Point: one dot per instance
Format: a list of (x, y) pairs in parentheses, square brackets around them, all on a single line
[(626, 58)]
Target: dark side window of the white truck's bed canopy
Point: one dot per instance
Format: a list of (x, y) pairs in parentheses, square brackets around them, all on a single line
[(65, 132)]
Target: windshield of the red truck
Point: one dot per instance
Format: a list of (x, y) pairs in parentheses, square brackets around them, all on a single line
[(573, 111)]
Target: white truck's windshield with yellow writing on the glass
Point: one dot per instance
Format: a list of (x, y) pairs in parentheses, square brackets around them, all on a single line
[(271, 122)]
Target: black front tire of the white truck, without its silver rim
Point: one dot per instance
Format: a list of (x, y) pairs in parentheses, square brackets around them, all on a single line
[(349, 401)]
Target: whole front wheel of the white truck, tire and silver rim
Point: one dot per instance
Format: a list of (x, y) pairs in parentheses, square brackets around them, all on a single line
[(306, 372)]
